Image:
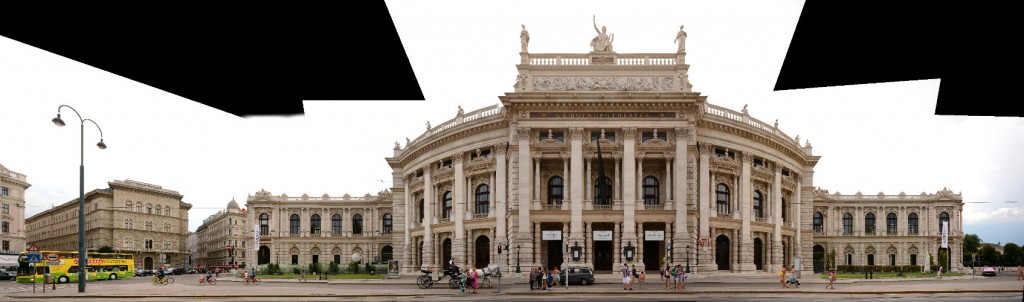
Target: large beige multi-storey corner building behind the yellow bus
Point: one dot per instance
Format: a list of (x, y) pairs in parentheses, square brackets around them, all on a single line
[(130, 217)]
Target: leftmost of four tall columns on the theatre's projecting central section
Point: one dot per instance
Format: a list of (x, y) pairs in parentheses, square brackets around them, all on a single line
[(524, 238)]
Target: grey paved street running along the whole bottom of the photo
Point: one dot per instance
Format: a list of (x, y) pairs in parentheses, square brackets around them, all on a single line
[(1003, 288)]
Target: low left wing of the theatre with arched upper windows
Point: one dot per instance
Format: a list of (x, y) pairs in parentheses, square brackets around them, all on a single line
[(320, 230)]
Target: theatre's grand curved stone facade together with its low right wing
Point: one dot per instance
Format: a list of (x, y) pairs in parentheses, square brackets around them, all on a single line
[(724, 191)]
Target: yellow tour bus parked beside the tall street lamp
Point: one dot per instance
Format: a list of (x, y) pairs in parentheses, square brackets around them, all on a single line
[(63, 267)]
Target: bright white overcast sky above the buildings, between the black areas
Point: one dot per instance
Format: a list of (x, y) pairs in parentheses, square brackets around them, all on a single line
[(879, 138)]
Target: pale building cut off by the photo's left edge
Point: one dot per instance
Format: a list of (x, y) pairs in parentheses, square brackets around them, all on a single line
[(13, 187)]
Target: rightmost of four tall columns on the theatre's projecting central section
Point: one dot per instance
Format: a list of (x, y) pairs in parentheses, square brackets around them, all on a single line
[(682, 235)]
